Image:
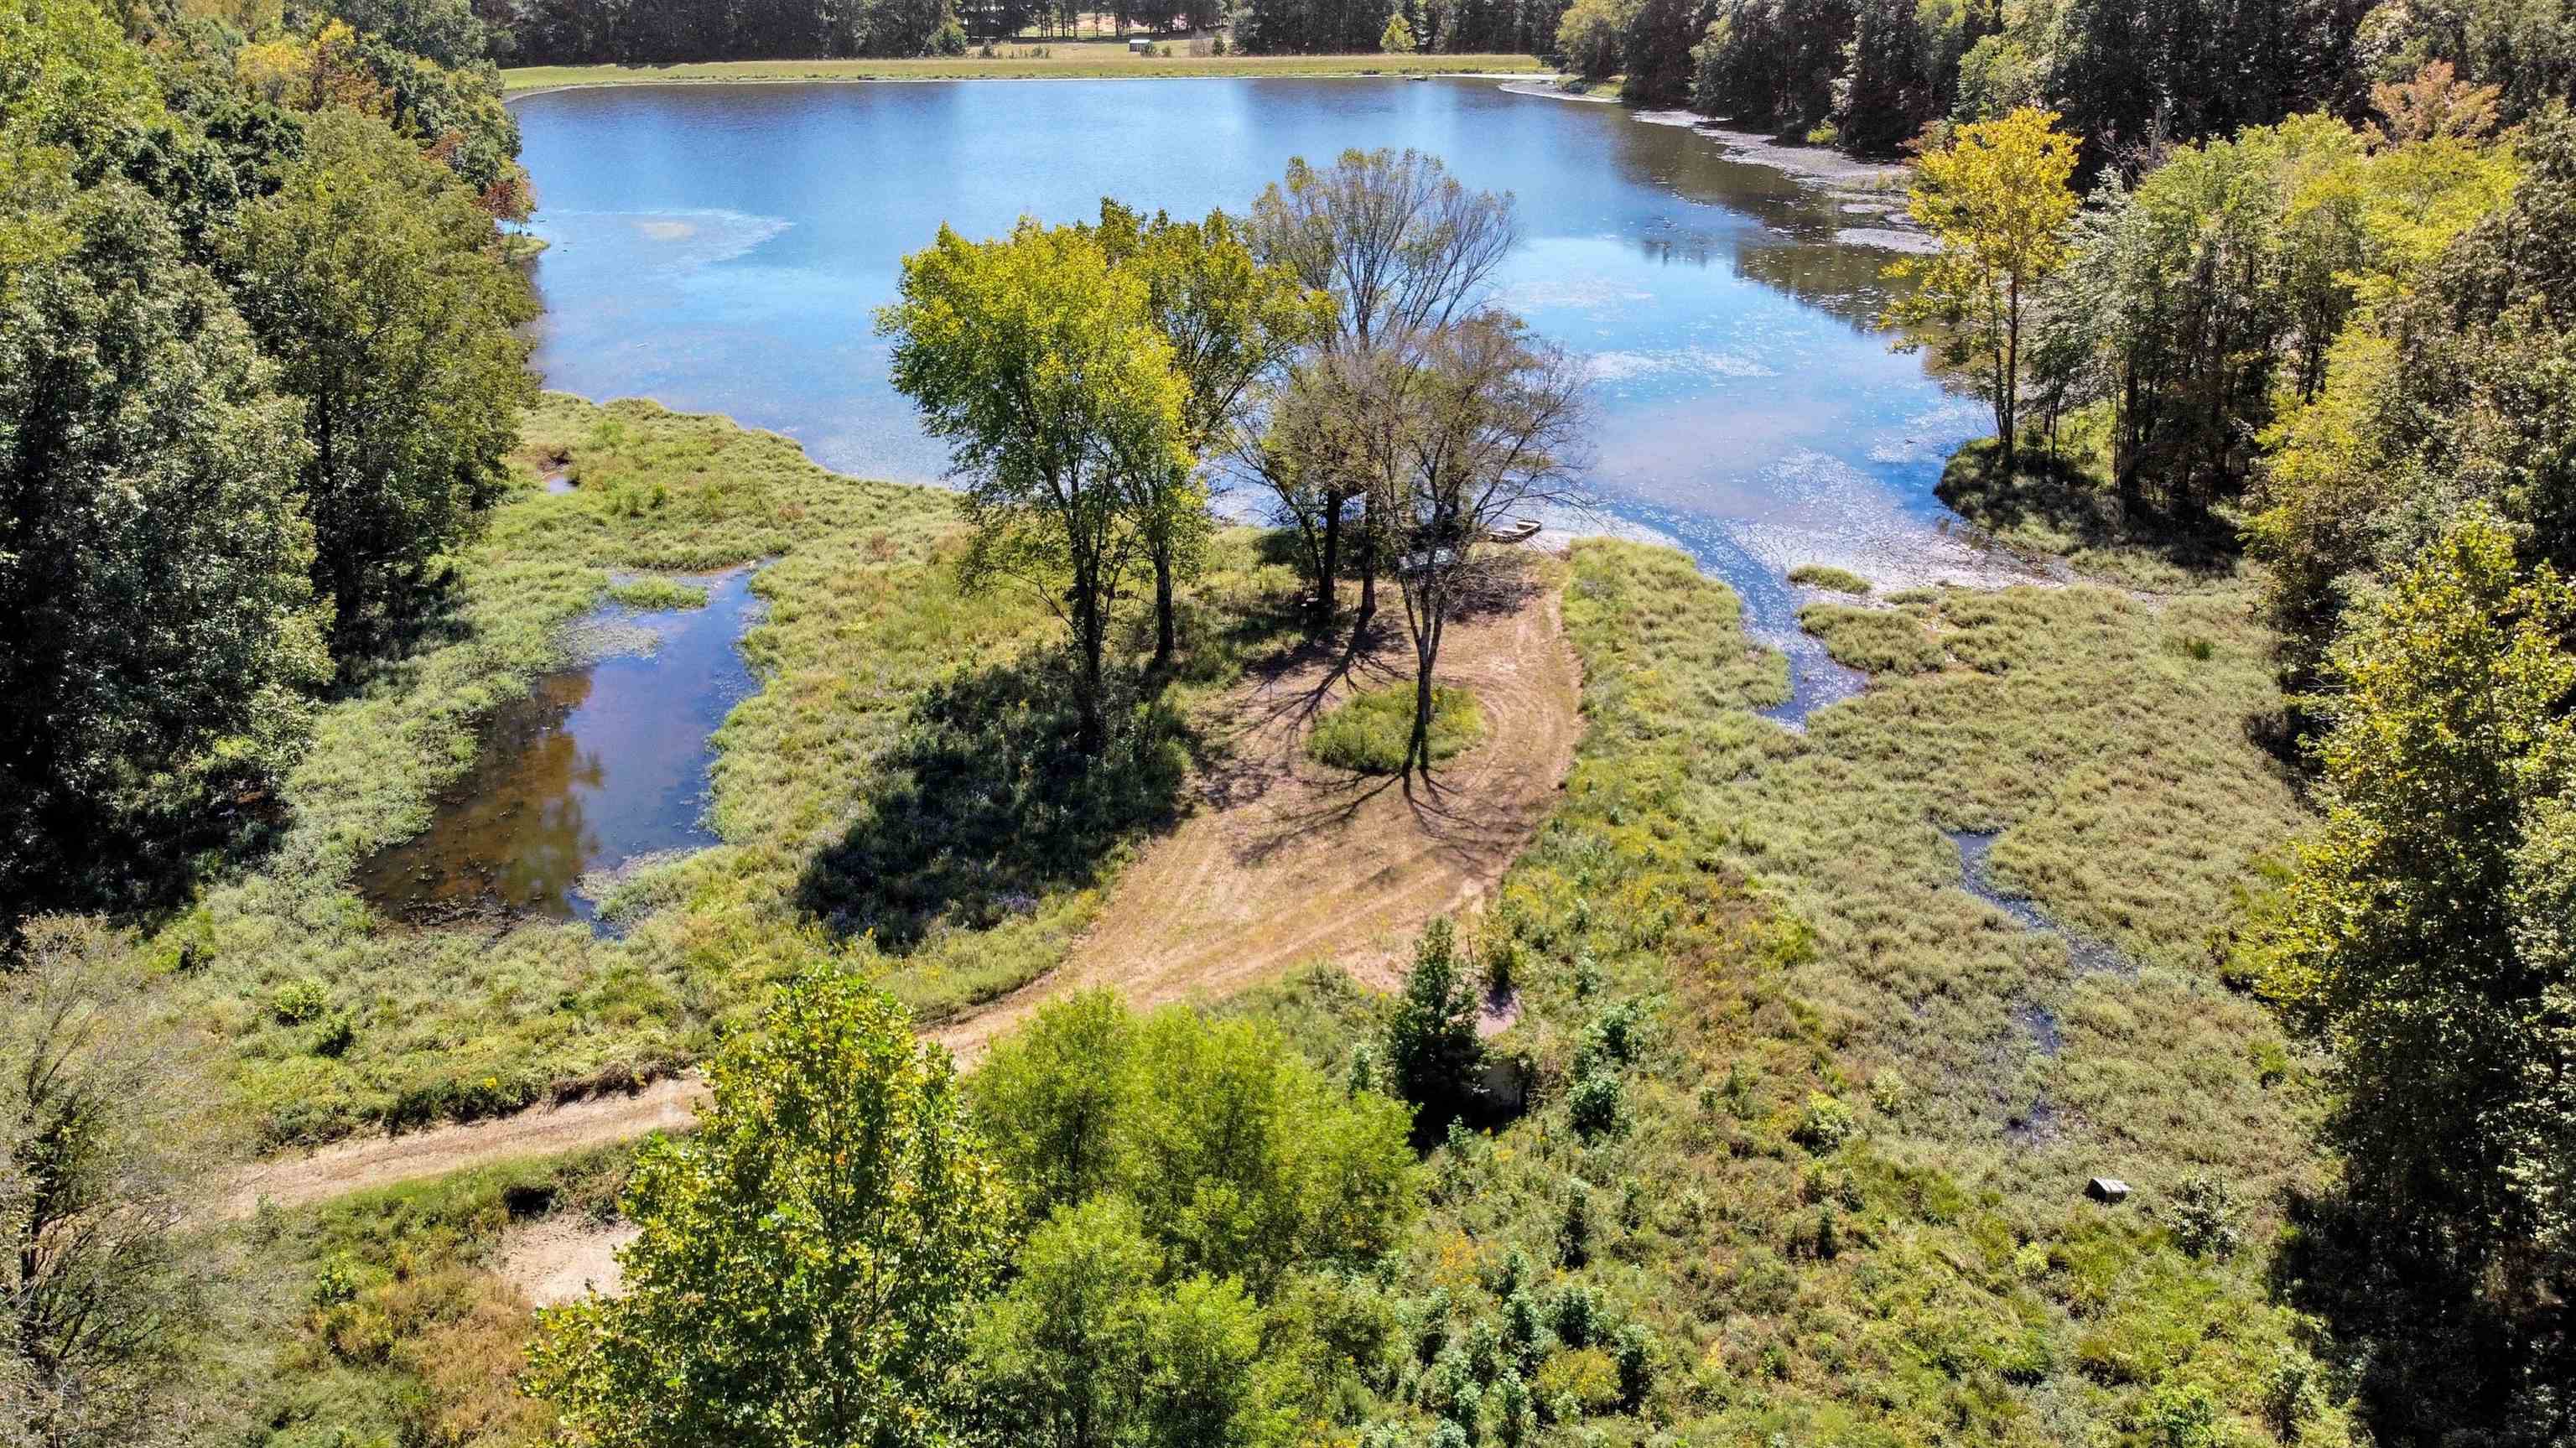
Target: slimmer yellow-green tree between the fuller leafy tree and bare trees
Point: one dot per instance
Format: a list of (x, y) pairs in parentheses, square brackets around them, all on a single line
[(1233, 326)]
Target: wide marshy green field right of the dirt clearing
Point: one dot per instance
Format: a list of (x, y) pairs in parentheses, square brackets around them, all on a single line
[(1833, 1192)]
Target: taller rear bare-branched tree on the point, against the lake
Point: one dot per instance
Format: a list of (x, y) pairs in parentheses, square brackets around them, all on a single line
[(1403, 249)]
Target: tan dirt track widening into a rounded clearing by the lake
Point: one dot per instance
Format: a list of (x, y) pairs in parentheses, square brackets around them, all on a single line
[(1284, 862)]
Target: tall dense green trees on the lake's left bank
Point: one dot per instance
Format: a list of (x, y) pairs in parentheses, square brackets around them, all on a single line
[(171, 470)]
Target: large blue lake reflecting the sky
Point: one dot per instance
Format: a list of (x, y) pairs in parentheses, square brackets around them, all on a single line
[(723, 249)]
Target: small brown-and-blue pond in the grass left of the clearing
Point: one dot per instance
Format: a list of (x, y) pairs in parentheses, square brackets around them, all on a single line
[(594, 769)]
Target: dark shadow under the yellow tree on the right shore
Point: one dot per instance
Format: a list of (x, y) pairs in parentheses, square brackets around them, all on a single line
[(2052, 506)]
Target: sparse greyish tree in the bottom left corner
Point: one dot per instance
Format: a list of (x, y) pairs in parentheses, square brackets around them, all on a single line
[(102, 1125)]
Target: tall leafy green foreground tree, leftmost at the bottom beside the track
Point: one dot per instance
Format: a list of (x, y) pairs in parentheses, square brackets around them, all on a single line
[(810, 1256)]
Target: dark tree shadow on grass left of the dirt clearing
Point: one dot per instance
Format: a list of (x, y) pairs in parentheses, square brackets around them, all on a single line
[(990, 805)]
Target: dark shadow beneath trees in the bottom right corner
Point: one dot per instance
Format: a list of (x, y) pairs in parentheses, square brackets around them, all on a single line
[(2438, 1344)]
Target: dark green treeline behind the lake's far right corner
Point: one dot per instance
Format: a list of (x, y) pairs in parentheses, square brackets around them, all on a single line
[(2124, 73)]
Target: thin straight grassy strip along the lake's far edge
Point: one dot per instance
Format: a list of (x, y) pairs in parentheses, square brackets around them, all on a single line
[(1057, 61)]
